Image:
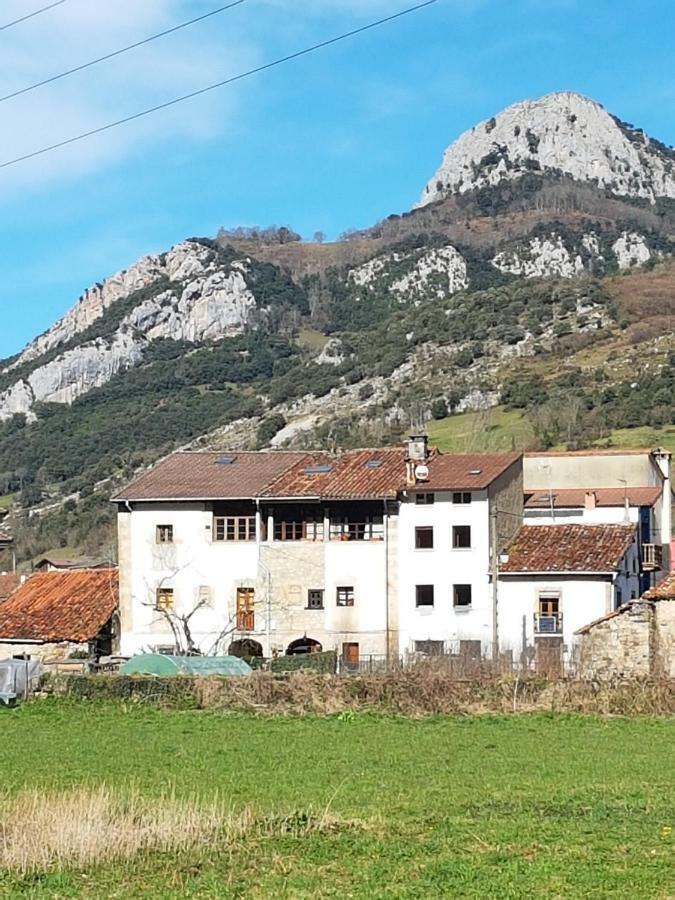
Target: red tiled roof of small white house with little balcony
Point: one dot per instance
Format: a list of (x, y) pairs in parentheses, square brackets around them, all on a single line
[(568, 548)]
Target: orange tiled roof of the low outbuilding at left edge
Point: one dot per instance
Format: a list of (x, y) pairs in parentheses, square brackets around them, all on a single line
[(60, 606)]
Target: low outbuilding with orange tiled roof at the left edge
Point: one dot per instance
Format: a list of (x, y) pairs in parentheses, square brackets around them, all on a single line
[(57, 614)]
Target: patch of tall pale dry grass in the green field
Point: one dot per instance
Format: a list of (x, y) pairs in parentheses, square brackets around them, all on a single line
[(85, 827)]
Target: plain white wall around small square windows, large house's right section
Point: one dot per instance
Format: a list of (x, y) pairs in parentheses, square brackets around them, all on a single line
[(443, 567)]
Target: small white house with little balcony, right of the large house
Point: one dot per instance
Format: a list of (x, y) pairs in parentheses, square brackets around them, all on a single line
[(554, 579)]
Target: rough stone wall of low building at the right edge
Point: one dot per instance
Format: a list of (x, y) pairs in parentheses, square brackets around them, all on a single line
[(637, 642)]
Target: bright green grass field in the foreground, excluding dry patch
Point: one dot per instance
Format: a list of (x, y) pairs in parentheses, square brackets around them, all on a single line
[(526, 806)]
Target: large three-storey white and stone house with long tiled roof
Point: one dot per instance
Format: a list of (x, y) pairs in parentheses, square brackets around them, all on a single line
[(376, 552)]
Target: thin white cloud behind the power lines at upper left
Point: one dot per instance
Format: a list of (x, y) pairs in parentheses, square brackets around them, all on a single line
[(80, 30)]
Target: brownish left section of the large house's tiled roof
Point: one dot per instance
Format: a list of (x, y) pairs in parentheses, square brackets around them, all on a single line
[(200, 476)]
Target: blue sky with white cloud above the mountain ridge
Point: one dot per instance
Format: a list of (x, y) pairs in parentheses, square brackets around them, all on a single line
[(333, 141)]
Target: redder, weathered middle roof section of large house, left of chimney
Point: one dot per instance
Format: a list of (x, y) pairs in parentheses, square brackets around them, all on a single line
[(356, 474)]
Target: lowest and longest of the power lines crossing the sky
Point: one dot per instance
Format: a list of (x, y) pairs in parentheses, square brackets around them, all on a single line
[(219, 84)]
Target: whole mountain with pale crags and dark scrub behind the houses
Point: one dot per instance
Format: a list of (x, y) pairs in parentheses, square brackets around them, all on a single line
[(537, 288)]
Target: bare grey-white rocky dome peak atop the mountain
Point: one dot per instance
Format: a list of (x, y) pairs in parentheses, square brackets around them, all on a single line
[(563, 132)]
